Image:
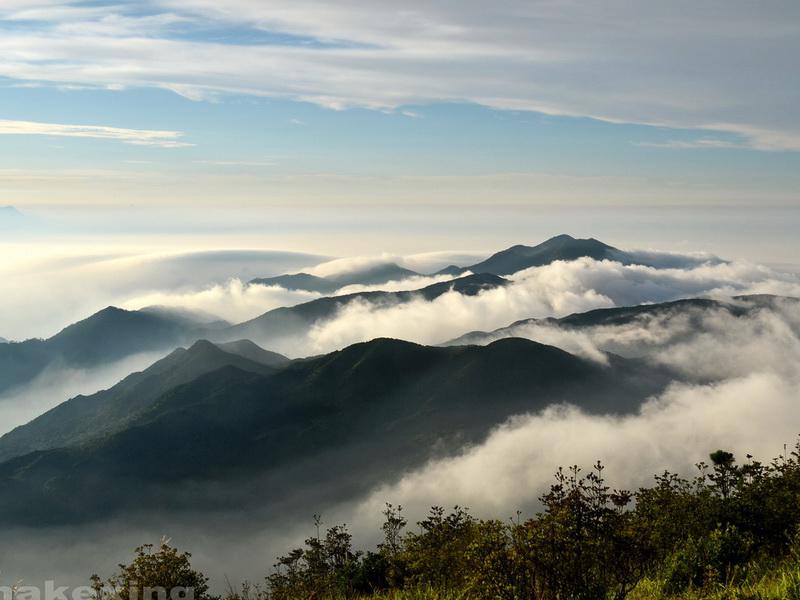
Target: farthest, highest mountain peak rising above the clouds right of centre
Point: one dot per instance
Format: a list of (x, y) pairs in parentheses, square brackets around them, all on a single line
[(560, 247)]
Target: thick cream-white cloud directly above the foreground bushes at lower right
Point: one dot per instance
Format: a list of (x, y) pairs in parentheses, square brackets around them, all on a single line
[(756, 414)]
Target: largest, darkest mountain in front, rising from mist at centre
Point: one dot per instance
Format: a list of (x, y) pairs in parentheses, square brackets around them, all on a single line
[(329, 427)]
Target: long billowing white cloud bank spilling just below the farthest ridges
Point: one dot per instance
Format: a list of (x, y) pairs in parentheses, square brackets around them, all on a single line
[(557, 289)]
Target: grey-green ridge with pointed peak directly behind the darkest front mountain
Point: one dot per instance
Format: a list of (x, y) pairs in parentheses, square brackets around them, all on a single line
[(84, 418)]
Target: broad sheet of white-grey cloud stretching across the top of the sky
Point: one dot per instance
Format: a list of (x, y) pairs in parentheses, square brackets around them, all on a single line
[(612, 60)]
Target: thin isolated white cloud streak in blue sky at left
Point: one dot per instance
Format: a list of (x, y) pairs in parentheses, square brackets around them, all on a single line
[(139, 137)]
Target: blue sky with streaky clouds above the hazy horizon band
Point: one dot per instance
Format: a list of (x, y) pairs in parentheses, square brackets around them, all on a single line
[(317, 102)]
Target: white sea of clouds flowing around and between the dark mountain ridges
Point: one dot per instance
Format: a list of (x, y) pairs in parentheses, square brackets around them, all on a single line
[(737, 387)]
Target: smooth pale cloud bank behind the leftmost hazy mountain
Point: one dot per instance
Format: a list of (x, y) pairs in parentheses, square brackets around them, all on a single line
[(53, 290)]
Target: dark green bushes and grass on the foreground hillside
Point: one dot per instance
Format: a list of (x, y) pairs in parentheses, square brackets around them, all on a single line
[(731, 531)]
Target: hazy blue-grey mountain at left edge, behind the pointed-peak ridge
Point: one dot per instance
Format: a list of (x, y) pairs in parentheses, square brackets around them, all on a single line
[(106, 336)]
